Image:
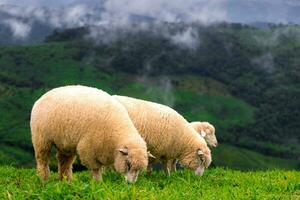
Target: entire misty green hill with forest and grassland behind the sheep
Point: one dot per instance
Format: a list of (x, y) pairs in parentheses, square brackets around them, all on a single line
[(244, 80)]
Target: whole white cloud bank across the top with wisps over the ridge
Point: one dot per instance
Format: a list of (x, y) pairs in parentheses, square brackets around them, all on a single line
[(135, 15)]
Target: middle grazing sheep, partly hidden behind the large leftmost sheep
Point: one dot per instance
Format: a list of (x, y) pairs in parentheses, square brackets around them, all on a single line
[(167, 134)]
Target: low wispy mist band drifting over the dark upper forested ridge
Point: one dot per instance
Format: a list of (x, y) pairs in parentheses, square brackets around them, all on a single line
[(186, 36)]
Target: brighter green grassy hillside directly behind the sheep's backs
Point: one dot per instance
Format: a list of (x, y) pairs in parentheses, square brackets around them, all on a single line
[(29, 71)]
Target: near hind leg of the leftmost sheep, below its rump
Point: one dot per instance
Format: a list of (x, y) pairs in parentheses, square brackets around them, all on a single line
[(42, 156)]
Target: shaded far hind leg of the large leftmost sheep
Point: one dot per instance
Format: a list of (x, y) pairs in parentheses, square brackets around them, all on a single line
[(65, 163)]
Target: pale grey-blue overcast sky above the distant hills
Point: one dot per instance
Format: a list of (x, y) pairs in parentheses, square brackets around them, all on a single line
[(203, 10)]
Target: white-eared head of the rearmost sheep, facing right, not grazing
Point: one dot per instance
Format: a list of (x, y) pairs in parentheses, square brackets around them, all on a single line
[(207, 131)]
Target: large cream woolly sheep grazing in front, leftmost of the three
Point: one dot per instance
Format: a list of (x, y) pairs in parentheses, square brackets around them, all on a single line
[(90, 123)]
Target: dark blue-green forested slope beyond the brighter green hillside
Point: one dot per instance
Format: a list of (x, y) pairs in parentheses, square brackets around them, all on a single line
[(257, 66)]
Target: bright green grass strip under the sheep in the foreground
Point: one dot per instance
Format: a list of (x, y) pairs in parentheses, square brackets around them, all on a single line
[(217, 183)]
